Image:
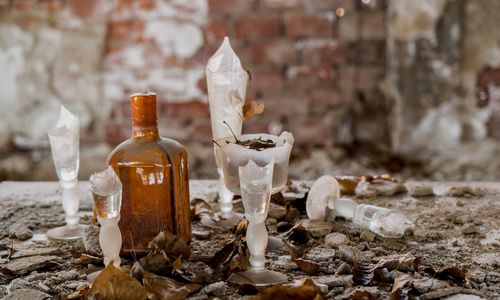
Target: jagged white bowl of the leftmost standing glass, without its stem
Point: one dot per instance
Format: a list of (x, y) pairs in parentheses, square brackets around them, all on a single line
[(64, 140)]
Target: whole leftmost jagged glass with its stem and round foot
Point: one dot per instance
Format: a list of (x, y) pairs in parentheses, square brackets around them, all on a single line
[(64, 140)]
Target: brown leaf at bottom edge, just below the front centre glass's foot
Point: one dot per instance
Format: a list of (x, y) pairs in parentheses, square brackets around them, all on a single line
[(307, 291)]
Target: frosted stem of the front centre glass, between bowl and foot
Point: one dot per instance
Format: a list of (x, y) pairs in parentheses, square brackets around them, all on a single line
[(257, 243)]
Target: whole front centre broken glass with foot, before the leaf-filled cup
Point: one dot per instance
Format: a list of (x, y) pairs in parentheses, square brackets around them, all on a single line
[(256, 186)]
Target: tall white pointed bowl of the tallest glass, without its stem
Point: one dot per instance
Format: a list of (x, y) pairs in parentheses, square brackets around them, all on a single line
[(227, 85)]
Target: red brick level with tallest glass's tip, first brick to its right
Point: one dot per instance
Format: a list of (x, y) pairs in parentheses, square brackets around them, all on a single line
[(279, 52)]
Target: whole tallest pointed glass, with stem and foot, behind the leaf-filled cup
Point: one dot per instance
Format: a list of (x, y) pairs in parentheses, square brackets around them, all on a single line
[(226, 83)]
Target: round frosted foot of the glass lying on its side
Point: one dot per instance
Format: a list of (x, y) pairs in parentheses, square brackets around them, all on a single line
[(323, 194)]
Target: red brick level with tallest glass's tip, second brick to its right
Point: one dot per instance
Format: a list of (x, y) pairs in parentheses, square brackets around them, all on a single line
[(322, 51)]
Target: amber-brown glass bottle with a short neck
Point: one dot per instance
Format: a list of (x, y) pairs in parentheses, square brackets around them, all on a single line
[(153, 171)]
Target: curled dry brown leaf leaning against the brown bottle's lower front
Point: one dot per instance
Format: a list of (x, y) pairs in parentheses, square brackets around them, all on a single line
[(171, 245)]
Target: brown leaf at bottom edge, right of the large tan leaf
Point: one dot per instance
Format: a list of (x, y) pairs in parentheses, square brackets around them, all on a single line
[(158, 287)]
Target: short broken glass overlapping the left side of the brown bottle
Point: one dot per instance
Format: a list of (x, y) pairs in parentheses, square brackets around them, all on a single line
[(107, 194)]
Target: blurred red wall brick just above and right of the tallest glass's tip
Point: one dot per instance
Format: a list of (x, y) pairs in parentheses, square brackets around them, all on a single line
[(258, 26)]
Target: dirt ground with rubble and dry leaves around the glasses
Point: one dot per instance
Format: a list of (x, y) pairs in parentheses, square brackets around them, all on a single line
[(455, 240)]
